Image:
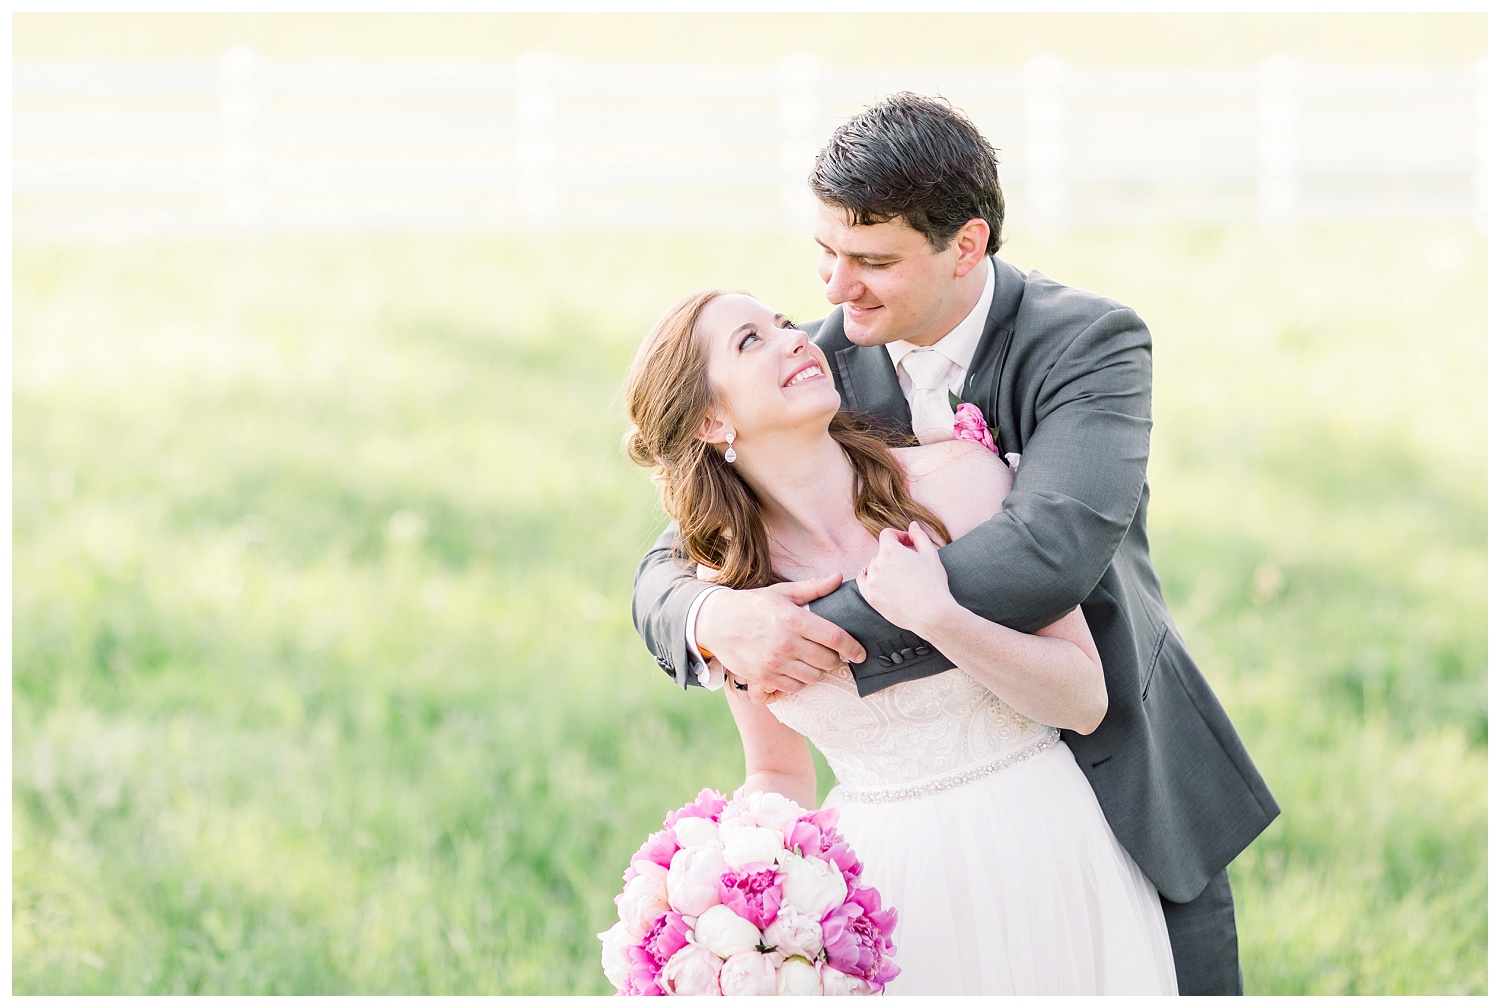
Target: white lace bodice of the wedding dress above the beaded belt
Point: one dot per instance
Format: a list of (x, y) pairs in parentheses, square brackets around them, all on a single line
[(913, 737)]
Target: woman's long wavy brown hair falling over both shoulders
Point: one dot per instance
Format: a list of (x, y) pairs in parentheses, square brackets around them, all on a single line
[(668, 397)]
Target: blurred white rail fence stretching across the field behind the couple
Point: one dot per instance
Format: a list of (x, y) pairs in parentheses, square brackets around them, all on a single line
[(544, 145)]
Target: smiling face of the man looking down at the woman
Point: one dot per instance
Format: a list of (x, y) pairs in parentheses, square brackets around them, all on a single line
[(892, 283)]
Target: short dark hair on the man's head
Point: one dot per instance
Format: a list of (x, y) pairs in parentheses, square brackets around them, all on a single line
[(913, 158)]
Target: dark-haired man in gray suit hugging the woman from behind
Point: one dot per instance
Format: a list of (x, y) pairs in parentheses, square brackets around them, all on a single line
[(910, 220)]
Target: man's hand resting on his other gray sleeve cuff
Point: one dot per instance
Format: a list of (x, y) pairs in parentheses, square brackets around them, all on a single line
[(767, 640)]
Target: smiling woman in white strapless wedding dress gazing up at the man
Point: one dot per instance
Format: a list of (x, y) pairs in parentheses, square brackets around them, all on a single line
[(970, 812)]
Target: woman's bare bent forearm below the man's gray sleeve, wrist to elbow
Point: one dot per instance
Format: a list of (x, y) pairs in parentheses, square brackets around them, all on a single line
[(1048, 679)]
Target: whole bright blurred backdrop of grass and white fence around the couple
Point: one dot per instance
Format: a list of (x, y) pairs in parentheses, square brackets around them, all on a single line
[(323, 668)]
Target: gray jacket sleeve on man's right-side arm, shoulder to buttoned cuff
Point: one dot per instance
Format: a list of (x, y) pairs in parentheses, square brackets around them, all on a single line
[(1075, 497)]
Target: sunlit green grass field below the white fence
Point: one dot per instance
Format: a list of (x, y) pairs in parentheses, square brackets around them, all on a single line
[(323, 670)]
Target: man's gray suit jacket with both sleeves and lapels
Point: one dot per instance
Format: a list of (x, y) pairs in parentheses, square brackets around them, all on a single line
[(1067, 377)]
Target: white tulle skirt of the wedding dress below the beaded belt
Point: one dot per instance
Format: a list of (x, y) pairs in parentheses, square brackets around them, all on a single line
[(1012, 884)]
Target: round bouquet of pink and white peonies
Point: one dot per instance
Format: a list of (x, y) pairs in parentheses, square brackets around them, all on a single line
[(748, 896)]
